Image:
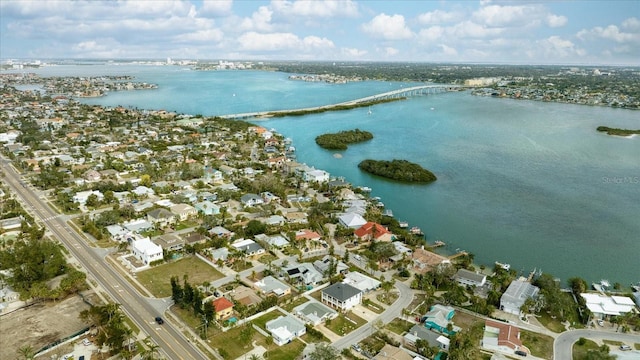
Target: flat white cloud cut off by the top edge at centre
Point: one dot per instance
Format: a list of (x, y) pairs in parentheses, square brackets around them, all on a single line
[(316, 8)]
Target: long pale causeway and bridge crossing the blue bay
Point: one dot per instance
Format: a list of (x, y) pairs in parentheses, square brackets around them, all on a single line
[(395, 94)]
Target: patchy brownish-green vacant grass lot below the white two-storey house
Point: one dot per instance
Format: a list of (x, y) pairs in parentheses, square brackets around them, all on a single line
[(158, 279)]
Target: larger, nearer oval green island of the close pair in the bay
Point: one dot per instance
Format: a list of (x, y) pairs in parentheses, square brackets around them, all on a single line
[(400, 170)]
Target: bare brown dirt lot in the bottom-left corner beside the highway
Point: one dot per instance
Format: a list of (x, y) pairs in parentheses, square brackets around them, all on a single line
[(40, 325)]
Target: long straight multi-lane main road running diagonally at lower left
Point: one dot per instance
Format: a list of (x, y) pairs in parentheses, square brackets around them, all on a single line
[(172, 343)]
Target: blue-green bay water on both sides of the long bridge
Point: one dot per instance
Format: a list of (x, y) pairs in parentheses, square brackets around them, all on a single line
[(528, 183)]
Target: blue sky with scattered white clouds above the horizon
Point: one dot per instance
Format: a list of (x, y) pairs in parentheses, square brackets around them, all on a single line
[(579, 32)]
